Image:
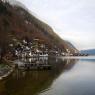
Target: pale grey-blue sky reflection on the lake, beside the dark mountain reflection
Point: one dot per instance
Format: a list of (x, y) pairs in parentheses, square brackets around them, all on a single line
[(79, 80)]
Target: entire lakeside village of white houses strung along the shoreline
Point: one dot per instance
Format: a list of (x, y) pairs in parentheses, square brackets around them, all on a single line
[(35, 48)]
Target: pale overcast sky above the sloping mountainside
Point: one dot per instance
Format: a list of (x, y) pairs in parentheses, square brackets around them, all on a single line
[(72, 20)]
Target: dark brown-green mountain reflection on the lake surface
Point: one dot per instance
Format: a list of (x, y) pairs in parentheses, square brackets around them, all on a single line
[(23, 82)]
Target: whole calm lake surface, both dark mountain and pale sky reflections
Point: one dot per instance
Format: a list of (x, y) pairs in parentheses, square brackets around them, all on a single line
[(68, 76)]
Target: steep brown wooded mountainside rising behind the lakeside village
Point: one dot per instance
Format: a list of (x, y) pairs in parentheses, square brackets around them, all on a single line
[(17, 23)]
